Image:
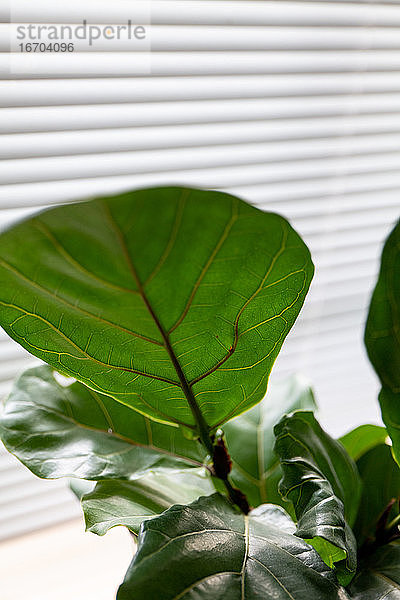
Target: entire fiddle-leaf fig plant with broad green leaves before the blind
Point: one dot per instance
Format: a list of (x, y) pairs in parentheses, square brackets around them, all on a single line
[(159, 314)]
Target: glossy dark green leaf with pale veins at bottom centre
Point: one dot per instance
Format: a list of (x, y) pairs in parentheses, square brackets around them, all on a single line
[(208, 551)]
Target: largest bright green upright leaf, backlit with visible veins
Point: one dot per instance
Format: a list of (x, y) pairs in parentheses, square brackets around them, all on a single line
[(173, 301)]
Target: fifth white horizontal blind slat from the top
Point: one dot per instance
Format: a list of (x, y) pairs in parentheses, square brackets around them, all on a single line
[(58, 118)]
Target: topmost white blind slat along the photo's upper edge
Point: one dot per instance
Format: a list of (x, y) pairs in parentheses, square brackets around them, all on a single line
[(210, 12)]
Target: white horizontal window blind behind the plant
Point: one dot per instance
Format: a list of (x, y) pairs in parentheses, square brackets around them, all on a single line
[(294, 106)]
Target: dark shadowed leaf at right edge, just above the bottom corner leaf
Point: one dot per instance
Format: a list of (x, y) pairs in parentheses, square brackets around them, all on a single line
[(381, 483)]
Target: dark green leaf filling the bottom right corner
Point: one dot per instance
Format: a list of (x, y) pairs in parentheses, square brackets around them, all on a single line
[(379, 576)]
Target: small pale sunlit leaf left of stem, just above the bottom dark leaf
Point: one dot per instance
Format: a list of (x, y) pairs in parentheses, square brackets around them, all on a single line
[(129, 503)]
